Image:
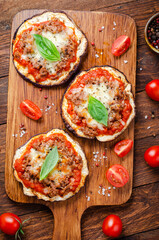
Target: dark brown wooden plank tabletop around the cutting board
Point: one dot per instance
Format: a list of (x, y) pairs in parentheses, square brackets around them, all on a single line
[(140, 215)]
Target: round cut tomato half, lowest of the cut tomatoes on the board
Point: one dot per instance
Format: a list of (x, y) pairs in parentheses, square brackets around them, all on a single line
[(117, 175)]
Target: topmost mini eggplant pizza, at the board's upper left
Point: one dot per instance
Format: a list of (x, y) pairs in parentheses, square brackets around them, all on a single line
[(47, 48)]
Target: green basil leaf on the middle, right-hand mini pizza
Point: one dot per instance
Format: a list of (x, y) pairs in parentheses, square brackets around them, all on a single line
[(97, 110)]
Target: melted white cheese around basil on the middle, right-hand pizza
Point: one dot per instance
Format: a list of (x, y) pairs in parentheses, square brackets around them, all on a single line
[(101, 92)]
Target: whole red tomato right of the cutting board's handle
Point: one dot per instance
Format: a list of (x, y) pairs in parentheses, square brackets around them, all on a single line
[(112, 226)]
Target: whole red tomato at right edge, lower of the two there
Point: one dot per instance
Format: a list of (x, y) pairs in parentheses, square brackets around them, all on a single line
[(151, 156)]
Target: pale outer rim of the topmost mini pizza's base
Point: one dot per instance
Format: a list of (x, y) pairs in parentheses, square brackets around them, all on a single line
[(81, 50)]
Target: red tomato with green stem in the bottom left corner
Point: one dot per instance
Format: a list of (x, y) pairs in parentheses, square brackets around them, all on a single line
[(9, 224)]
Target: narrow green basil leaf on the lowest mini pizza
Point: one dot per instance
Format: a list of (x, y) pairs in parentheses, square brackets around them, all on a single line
[(49, 163)]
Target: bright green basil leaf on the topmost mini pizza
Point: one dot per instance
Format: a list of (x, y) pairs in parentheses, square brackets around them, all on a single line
[(46, 48)]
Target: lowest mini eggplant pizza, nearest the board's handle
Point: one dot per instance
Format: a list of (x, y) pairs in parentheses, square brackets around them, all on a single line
[(51, 166)]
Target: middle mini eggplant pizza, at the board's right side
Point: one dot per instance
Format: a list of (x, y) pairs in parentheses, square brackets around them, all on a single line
[(98, 103)]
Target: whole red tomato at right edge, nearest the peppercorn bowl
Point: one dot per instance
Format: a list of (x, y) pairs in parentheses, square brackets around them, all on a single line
[(152, 89)]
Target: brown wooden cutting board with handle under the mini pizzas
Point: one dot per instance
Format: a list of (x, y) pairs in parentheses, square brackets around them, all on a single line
[(97, 190)]
